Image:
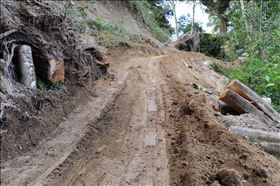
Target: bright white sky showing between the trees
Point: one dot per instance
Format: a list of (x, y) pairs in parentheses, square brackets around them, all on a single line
[(183, 8)]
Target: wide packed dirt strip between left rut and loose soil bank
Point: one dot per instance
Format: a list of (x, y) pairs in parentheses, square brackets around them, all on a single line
[(126, 144)]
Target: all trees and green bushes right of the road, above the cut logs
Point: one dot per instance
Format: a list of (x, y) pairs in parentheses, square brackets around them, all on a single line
[(251, 28)]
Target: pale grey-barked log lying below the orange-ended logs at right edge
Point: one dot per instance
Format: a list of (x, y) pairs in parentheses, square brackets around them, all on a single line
[(269, 141)]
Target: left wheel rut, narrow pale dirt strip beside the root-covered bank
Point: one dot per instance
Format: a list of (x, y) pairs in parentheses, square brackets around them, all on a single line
[(52, 153)]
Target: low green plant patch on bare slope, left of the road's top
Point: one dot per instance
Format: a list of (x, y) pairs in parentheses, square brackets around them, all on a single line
[(109, 35)]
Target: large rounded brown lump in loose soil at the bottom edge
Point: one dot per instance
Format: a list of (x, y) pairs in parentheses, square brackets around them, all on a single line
[(229, 177)]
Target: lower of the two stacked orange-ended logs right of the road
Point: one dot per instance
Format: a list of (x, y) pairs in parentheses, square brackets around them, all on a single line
[(242, 105)]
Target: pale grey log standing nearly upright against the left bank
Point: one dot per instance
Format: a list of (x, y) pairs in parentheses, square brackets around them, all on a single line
[(27, 70)]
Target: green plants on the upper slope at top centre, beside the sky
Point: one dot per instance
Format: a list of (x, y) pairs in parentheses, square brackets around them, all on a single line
[(147, 15)]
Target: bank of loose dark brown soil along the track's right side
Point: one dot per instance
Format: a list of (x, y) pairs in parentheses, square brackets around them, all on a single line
[(200, 148)]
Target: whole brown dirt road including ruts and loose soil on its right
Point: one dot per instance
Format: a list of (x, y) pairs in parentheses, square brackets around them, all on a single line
[(150, 126)]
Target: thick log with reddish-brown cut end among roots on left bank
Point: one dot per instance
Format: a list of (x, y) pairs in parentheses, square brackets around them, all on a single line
[(51, 69)]
